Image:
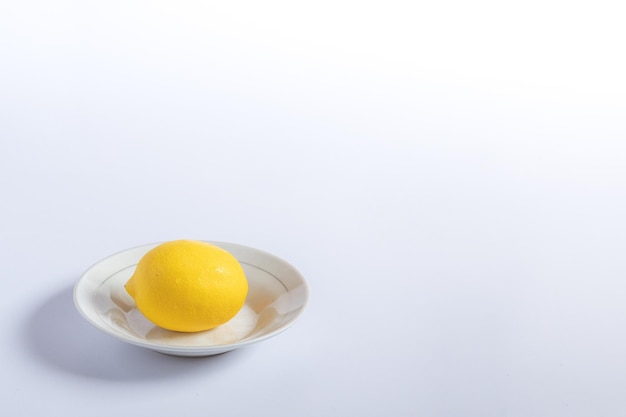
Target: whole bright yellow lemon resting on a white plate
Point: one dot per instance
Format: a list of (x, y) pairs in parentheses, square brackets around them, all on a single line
[(188, 286)]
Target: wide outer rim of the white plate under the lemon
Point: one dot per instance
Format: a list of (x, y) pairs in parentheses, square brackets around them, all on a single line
[(178, 350)]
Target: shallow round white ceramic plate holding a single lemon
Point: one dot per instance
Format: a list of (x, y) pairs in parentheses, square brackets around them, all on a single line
[(277, 295)]
